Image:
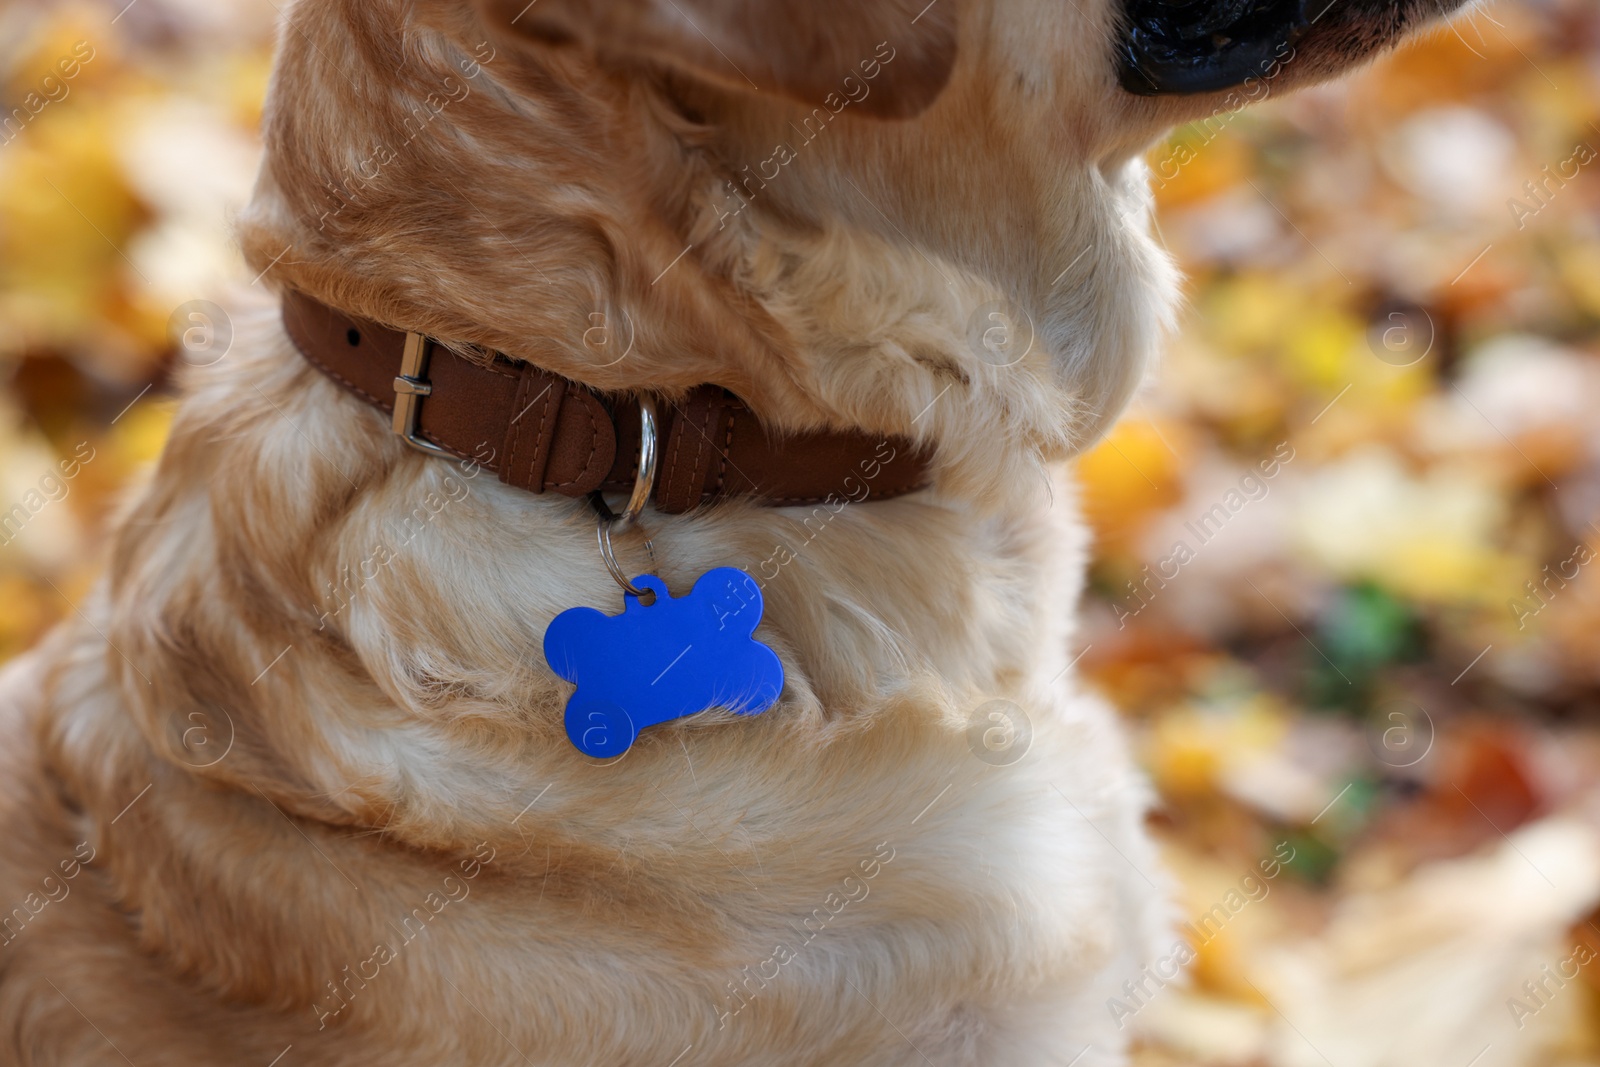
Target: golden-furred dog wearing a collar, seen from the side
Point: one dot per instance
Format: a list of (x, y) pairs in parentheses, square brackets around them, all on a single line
[(295, 785)]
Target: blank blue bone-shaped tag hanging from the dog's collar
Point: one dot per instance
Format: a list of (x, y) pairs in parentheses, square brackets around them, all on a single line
[(673, 658)]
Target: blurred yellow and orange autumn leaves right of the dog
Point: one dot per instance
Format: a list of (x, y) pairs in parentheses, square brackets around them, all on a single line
[(1386, 653)]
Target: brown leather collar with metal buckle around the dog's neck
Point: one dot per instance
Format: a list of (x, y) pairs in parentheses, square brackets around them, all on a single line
[(538, 431)]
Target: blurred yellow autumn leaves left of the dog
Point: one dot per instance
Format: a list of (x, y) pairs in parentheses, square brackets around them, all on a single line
[(124, 146)]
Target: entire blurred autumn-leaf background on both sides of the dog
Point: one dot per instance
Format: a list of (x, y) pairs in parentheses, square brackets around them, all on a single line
[(1343, 588)]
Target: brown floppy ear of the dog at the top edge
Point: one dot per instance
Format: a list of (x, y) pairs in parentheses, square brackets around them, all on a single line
[(801, 49)]
